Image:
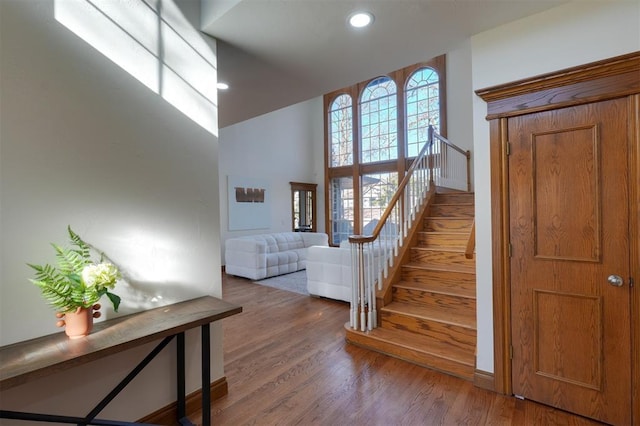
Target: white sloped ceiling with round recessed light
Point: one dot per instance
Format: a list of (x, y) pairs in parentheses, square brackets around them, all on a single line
[(275, 53)]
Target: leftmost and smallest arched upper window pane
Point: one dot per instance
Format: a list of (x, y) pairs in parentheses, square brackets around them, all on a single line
[(341, 131)]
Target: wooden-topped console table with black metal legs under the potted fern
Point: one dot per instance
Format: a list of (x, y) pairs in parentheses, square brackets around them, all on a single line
[(24, 361)]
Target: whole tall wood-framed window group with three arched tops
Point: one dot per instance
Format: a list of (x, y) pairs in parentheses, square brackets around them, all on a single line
[(373, 130)]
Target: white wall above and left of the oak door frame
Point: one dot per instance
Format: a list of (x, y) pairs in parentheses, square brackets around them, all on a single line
[(566, 36)]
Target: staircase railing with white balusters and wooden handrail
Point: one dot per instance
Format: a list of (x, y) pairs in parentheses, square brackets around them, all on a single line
[(439, 163)]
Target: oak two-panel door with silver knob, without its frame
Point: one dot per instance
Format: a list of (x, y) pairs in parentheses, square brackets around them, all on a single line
[(569, 235)]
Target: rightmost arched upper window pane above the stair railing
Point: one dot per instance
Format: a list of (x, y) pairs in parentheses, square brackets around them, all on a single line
[(422, 106)]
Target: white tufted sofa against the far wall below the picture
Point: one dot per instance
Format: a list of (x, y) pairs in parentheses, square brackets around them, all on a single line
[(266, 255)]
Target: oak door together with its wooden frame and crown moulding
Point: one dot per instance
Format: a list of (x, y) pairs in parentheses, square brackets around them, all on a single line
[(565, 217)]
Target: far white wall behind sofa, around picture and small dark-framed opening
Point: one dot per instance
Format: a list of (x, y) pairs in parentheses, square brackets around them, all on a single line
[(280, 147)]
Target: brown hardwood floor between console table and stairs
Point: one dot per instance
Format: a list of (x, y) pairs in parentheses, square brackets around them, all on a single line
[(287, 363)]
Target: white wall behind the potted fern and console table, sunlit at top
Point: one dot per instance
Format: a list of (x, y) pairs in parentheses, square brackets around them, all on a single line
[(82, 143)]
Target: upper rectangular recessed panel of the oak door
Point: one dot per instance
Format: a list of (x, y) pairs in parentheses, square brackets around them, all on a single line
[(560, 211)]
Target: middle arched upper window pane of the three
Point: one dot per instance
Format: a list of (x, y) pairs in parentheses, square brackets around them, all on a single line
[(379, 121)]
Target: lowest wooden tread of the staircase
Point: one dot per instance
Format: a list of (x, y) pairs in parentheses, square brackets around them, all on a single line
[(422, 344)]
